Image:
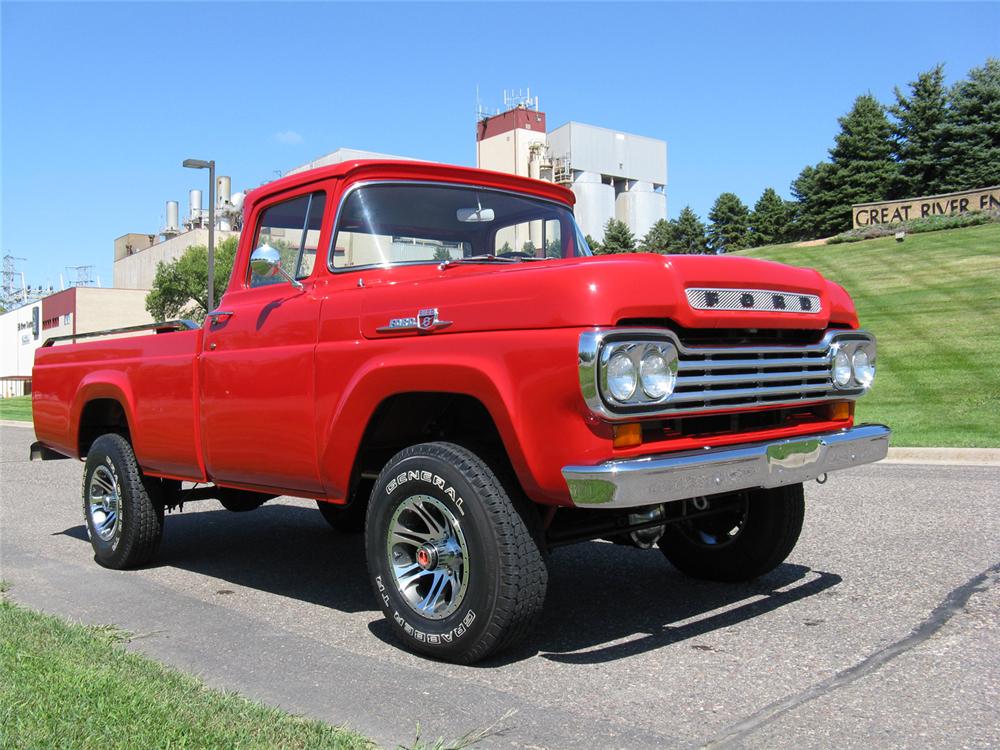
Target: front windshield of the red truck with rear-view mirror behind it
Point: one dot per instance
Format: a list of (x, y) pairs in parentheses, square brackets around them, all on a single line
[(392, 223)]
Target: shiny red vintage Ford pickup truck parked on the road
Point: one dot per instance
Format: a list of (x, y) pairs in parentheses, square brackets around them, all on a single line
[(434, 355)]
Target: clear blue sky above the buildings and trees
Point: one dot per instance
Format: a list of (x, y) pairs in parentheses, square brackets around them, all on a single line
[(102, 102)]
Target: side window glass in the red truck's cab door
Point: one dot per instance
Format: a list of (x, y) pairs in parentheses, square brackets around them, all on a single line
[(292, 228)]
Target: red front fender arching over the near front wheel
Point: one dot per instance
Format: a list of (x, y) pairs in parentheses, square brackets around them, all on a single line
[(526, 380)]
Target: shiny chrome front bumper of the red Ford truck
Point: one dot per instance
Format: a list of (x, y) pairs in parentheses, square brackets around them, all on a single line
[(678, 476)]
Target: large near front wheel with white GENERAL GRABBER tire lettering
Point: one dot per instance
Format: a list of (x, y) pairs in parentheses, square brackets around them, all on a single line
[(456, 564)]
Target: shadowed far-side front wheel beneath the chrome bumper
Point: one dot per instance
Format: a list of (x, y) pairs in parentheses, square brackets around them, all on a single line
[(751, 539)]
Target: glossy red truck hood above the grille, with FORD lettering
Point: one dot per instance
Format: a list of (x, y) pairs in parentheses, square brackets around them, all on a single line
[(599, 291)]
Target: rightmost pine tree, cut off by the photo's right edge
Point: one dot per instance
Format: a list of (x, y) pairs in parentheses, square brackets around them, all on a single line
[(972, 134)]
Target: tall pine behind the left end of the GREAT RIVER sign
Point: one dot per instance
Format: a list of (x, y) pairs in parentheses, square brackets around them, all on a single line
[(862, 154)]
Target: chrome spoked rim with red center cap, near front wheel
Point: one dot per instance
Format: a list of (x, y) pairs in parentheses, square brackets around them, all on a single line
[(428, 556)]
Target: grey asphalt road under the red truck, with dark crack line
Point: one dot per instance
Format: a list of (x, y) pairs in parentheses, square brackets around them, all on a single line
[(882, 628)]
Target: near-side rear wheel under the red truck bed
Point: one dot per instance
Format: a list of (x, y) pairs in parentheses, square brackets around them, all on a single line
[(123, 510)]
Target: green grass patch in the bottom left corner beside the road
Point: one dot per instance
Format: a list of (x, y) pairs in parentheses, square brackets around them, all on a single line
[(71, 686)]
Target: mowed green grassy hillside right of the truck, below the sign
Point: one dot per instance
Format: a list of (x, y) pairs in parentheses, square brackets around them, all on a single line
[(933, 303)]
